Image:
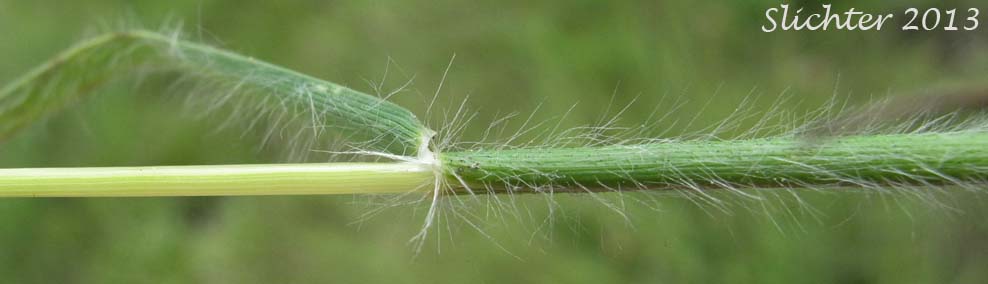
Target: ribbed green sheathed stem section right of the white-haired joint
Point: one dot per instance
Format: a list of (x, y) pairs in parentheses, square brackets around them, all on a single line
[(861, 161)]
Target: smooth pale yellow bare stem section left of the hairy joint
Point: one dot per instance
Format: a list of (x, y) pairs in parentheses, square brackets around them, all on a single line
[(272, 179)]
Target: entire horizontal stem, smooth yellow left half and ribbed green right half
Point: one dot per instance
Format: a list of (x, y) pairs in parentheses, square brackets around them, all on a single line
[(861, 161)]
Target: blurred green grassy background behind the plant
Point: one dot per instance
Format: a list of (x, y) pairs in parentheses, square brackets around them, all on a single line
[(511, 56)]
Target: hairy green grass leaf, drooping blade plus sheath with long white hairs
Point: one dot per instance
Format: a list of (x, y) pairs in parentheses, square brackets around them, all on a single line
[(307, 115)]
